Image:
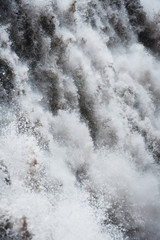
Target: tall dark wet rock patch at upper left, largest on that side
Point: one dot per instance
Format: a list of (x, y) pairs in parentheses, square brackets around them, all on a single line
[(25, 34)]
